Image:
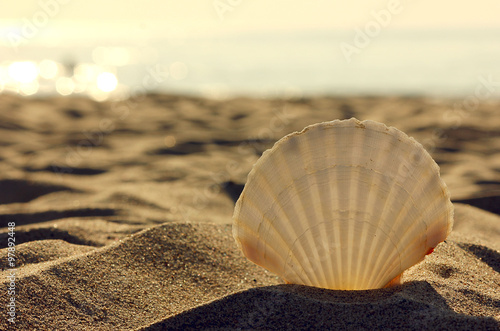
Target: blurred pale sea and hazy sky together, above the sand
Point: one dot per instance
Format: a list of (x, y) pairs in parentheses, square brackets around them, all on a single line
[(221, 48)]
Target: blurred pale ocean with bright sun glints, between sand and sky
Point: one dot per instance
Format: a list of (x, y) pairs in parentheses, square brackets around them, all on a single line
[(437, 63)]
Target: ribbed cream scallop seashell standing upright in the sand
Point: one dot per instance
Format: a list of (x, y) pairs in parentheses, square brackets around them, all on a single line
[(344, 205)]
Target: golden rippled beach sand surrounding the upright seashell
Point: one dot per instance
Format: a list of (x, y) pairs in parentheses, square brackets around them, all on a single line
[(123, 212)]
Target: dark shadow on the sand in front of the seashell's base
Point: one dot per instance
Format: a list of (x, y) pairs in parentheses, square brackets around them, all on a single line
[(414, 305)]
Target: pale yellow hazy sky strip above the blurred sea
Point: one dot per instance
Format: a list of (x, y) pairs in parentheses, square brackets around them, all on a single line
[(157, 17)]
